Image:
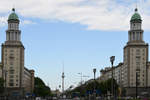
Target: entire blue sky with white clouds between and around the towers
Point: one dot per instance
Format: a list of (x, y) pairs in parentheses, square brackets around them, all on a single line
[(83, 34)]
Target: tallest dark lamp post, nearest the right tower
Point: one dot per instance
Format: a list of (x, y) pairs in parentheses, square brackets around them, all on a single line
[(112, 59)]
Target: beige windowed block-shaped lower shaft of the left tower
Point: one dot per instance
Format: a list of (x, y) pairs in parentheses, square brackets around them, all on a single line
[(13, 63)]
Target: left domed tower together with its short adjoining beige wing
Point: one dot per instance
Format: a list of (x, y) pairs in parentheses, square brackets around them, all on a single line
[(14, 73)]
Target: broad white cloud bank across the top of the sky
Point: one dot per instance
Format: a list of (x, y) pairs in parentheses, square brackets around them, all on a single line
[(95, 14)]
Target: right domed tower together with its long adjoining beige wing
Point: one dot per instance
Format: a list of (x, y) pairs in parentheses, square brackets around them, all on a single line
[(134, 72)]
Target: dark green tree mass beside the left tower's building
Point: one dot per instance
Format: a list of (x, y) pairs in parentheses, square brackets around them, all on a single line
[(40, 89)]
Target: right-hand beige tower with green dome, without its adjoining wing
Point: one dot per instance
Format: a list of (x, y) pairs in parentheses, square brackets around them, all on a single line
[(135, 58)]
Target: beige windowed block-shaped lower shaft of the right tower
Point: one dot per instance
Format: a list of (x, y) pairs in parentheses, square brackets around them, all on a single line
[(136, 62)]
